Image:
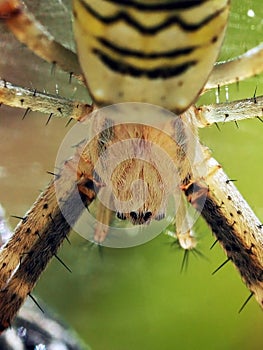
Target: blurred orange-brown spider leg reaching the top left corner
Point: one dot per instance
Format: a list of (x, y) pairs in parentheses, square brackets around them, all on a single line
[(31, 33)]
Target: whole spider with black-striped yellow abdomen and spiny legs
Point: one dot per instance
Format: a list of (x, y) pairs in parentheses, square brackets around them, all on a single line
[(140, 162)]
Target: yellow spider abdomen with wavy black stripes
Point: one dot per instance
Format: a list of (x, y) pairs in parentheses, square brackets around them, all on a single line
[(148, 51)]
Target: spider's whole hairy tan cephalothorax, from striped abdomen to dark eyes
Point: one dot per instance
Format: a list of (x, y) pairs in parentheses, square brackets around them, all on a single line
[(140, 164)]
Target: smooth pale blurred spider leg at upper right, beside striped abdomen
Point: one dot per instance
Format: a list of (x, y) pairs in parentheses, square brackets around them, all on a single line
[(237, 69)]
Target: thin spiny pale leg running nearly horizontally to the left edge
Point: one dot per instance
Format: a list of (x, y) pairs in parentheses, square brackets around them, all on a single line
[(54, 105)]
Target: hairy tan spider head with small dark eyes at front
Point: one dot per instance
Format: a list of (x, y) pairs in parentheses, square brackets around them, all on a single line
[(138, 192)]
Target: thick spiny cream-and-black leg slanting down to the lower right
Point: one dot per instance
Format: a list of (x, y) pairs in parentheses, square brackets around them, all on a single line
[(233, 223)]
